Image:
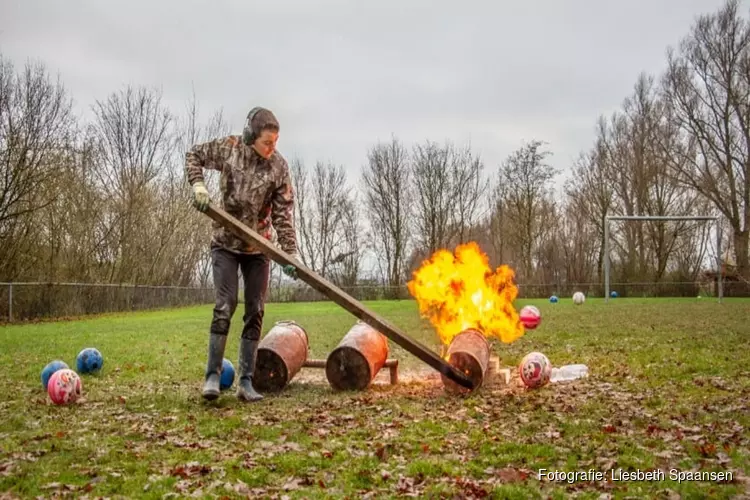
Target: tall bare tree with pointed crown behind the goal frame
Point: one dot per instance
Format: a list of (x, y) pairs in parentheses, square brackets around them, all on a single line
[(632, 161)]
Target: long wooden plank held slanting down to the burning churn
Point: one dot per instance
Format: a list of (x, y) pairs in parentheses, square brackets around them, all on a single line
[(341, 298)]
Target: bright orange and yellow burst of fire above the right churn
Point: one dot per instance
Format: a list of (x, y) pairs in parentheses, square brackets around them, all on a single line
[(460, 291)]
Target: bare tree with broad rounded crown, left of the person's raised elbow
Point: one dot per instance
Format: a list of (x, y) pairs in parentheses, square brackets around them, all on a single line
[(135, 140)]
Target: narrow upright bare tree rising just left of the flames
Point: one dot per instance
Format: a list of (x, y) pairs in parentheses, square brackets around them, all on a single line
[(386, 180)]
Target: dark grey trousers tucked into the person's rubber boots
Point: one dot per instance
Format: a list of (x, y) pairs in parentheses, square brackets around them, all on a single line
[(255, 272)]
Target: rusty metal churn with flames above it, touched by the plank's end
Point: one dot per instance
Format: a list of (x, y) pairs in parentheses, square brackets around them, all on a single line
[(469, 351)]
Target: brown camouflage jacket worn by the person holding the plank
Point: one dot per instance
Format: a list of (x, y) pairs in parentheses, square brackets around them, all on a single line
[(256, 191)]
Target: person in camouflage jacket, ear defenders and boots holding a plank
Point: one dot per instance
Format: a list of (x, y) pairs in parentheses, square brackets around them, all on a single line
[(256, 188)]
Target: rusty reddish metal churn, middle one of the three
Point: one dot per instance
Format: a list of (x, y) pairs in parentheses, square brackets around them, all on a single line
[(358, 358)]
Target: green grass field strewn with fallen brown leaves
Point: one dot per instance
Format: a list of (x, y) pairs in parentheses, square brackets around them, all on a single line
[(669, 389)]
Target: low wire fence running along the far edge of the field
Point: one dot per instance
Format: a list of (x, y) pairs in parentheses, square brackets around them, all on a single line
[(34, 301)]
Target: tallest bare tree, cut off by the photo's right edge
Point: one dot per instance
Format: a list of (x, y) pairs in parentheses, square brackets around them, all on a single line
[(707, 86)]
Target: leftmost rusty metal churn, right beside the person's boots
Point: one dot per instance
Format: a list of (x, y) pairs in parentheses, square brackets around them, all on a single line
[(281, 354)]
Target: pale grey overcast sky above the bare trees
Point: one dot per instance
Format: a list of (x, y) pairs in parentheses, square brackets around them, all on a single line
[(341, 75)]
